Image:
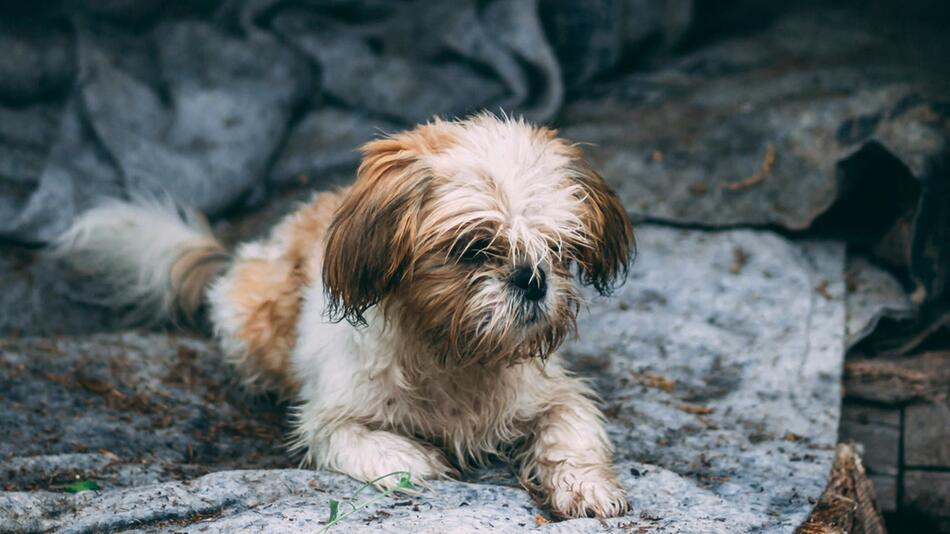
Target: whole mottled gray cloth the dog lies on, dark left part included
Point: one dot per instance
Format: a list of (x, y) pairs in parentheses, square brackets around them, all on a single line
[(719, 363)]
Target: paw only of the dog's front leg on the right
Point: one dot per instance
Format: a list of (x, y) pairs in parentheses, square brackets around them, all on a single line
[(591, 492)]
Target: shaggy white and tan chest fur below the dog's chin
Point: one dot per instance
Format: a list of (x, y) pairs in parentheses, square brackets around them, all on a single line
[(470, 411)]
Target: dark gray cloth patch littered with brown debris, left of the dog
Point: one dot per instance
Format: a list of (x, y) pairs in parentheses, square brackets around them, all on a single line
[(131, 409)]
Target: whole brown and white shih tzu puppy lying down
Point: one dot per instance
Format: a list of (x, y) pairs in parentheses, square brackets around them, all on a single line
[(415, 316)]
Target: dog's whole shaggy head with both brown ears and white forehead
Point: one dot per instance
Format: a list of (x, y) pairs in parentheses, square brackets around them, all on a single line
[(468, 233)]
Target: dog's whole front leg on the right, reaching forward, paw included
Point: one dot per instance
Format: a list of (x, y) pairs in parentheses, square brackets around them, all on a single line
[(570, 458)]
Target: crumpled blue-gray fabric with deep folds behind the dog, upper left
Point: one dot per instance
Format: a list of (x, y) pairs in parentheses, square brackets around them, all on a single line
[(217, 103)]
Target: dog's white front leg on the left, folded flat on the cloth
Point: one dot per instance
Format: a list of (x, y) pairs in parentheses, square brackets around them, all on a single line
[(366, 455)]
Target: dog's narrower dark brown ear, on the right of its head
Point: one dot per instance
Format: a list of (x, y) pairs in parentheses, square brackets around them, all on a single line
[(604, 263)]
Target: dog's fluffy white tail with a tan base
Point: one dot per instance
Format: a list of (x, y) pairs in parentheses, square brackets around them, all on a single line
[(157, 258)]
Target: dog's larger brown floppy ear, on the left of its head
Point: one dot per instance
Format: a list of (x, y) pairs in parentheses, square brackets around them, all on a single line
[(369, 243)]
